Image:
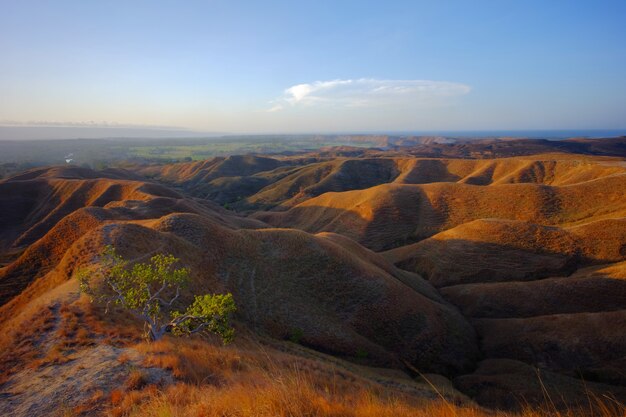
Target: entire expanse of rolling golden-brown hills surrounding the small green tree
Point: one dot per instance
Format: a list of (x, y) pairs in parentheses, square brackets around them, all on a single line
[(482, 280)]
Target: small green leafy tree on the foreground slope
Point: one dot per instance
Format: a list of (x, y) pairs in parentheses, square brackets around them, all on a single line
[(149, 291)]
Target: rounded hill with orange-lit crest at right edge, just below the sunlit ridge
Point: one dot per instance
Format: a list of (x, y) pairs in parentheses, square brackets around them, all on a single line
[(491, 250)]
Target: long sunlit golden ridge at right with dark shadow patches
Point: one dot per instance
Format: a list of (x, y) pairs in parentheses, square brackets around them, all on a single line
[(386, 215)]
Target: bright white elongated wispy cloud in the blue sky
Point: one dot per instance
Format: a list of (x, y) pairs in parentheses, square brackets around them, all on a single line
[(368, 92)]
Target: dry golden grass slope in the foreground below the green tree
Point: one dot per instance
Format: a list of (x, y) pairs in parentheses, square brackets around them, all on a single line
[(250, 380)]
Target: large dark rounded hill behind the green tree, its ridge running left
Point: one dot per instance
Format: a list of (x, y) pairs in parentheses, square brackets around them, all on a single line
[(250, 263)]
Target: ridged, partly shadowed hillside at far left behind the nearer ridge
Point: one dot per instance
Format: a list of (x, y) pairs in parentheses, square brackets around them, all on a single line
[(45, 211)]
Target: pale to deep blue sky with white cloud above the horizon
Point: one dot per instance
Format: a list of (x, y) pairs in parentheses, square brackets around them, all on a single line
[(313, 67)]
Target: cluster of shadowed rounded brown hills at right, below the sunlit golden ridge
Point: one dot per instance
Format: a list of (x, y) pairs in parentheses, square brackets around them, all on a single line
[(531, 293)]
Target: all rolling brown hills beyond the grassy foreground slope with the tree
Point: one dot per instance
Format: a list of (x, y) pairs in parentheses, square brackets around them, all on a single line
[(480, 269)]
